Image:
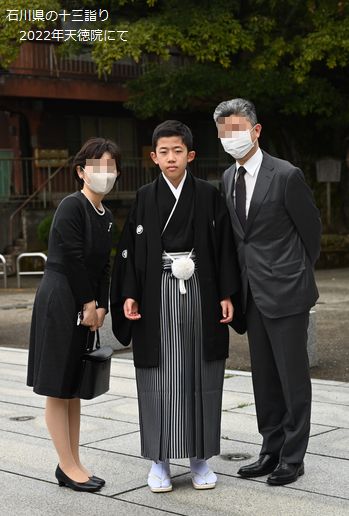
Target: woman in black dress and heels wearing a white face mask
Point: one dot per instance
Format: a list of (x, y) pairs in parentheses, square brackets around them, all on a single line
[(76, 279)]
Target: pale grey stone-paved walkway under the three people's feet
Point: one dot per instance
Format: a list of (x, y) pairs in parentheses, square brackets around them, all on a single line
[(110, 446)]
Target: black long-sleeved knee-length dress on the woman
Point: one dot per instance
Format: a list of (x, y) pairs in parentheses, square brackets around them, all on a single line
[(77, 271)]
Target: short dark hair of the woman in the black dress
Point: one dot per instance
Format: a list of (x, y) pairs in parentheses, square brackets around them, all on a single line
[(95, 148)]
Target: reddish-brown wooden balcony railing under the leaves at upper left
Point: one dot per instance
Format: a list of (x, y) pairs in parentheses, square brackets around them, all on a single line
[(42, 59)]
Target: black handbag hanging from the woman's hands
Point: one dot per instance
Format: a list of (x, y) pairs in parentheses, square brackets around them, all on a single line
[(95, 374)]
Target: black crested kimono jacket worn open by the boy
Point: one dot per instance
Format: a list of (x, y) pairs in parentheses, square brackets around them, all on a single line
[(138, 268)]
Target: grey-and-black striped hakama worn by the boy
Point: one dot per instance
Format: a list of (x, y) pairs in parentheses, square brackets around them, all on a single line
[(180, 401)]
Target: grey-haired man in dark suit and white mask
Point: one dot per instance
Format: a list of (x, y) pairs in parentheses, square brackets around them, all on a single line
[(277, 232)]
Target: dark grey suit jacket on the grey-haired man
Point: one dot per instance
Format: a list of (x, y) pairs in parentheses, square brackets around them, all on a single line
[(281, 242)]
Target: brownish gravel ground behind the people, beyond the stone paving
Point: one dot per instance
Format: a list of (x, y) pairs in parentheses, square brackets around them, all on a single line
[(332, 324)]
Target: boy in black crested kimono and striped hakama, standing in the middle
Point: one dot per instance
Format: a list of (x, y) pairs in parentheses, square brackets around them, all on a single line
[(172, 281)]
